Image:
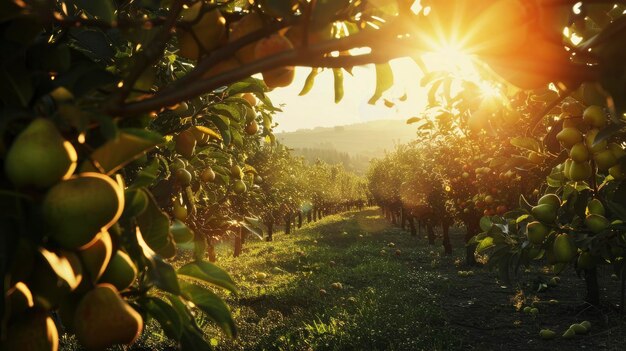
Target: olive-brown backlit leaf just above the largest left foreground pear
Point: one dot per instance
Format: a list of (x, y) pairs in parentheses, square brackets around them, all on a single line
[(117, 153)]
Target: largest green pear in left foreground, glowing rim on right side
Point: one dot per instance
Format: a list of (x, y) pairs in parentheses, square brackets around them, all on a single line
[(77, 209)]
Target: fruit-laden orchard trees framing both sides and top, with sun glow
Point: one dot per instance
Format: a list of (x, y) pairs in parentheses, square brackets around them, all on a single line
[(133, 135)]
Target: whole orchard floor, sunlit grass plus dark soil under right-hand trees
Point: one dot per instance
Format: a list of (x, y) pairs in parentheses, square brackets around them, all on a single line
[(396, 293)]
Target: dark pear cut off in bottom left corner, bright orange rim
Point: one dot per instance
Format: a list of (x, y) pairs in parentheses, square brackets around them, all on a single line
[(34, 331)]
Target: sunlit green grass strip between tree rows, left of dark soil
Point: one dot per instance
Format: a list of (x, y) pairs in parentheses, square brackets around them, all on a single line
[(386, 302)]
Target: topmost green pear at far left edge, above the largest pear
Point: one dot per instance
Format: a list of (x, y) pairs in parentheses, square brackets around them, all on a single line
[(39, 156)]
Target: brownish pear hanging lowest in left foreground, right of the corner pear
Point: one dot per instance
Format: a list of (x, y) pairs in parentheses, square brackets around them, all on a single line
[(104, 319)]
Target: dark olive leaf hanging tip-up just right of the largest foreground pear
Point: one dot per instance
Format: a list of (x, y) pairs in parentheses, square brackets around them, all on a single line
[(154, 225)]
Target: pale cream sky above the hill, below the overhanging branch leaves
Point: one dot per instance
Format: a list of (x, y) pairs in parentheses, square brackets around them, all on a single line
[(318, 108)]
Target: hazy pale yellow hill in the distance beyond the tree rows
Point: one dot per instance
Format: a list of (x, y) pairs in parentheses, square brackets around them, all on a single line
[(351, 145)]
